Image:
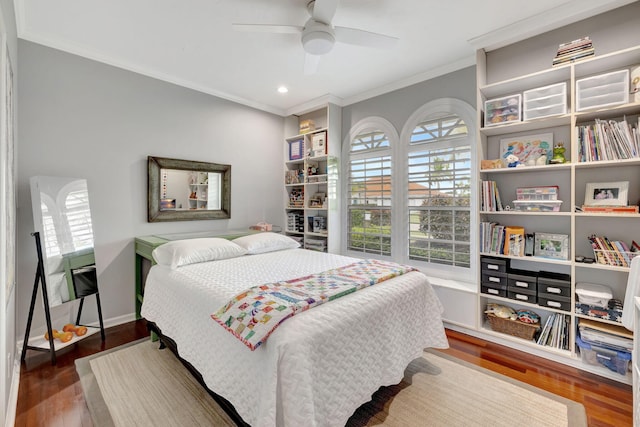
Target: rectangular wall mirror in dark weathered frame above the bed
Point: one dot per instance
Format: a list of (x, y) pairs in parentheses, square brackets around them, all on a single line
[(186, 190)]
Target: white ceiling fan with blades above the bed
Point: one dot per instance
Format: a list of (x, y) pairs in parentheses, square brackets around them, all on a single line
[(318, 35)]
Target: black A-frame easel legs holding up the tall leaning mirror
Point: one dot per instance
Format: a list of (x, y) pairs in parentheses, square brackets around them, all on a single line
[(40, 279)]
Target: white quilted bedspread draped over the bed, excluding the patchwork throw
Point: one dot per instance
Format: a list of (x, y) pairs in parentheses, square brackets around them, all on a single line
[(318, 366)]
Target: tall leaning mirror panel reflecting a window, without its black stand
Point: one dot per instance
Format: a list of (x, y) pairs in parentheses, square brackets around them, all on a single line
[(62, 216)]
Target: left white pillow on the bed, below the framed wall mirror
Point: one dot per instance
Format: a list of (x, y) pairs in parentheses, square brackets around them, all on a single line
[(190, 251)]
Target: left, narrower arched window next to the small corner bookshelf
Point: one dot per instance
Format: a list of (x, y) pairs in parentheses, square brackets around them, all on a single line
[(369, 187)]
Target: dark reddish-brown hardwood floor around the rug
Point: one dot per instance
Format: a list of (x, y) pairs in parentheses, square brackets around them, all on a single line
[(52, 395)]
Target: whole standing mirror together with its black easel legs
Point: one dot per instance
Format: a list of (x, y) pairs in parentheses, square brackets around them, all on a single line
[(66, 267)]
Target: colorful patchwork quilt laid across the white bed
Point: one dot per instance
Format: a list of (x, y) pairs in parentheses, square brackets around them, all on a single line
[(255, 313)]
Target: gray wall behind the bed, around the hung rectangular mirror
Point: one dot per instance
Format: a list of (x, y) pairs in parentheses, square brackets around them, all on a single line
[(80, 118)]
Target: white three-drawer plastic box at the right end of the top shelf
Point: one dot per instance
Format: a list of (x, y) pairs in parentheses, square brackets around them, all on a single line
[(603, 90)]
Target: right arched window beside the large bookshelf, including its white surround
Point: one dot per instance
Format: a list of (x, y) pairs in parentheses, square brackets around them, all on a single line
[(438, 142)]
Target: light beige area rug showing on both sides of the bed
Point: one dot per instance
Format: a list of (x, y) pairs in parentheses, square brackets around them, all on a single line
[(139, 385)]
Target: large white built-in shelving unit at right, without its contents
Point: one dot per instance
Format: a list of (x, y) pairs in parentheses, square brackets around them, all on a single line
[(571, 178)]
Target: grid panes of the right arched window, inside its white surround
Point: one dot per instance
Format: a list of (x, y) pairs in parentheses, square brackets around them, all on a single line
[(438, 195)]
